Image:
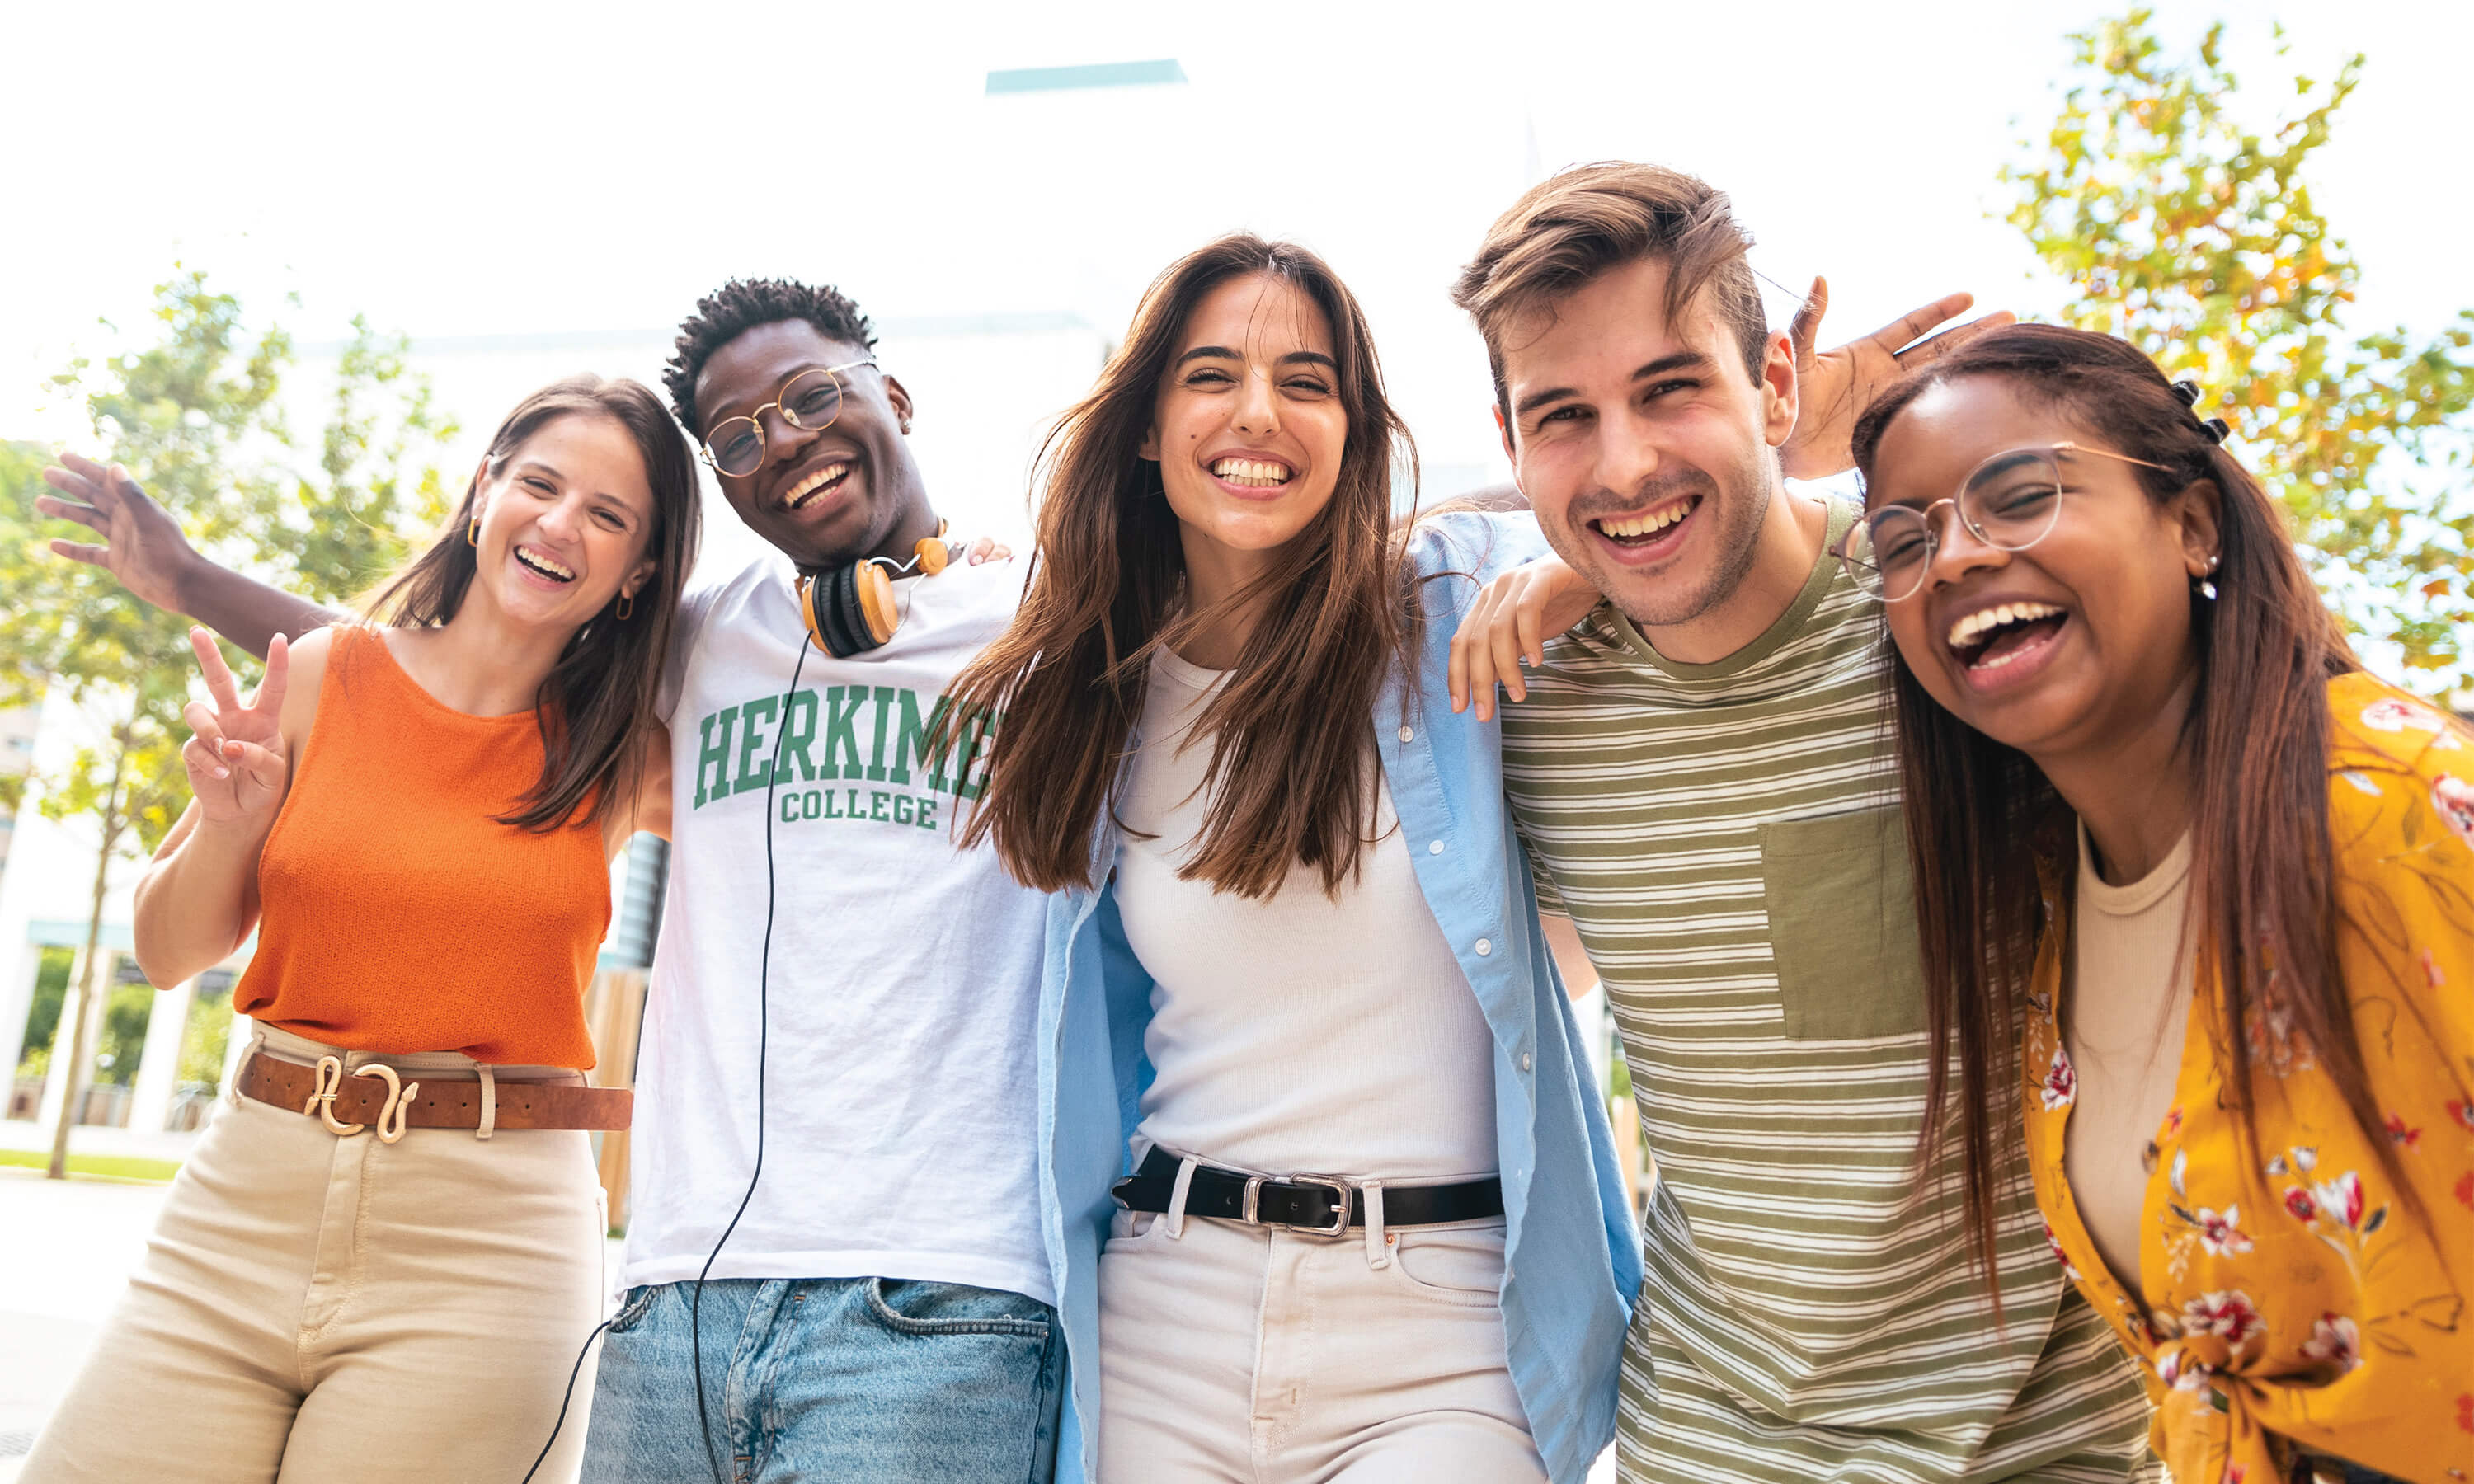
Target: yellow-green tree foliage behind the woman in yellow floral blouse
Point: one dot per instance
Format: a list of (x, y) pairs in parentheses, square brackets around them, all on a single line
[(2193, 234)]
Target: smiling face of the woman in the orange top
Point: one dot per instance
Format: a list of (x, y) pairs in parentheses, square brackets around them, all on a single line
[(565, 523)]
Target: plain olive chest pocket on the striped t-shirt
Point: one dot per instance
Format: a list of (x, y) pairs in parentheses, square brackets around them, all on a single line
[(1842, 926)]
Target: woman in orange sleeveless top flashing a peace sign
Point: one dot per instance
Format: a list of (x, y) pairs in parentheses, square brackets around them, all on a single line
[(387, 1250)]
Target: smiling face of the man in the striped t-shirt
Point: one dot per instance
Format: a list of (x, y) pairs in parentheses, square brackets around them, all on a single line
[(1644, 446)]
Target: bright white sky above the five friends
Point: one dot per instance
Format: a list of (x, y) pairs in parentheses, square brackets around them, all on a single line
[(511, 169)]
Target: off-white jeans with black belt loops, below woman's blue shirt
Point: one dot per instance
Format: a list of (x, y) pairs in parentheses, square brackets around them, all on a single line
[(1270, 1357)]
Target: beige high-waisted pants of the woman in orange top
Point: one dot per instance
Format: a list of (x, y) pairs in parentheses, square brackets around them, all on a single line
[(318, 1307)]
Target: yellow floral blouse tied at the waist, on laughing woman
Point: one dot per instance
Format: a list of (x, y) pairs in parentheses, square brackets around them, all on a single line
[(2290, 1292)]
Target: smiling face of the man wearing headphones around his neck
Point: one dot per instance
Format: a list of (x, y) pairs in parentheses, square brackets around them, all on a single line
[(823, 496)]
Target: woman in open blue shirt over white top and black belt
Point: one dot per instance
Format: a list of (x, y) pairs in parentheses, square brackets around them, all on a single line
[(1327, 1025)]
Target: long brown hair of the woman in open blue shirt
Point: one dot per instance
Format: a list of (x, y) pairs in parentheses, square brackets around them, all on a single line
[(1293, 748)]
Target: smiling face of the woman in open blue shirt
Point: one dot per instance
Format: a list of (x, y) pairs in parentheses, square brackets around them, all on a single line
[(1248, 427)]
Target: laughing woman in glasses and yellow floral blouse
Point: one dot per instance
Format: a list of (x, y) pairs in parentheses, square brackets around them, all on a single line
[(2201, 892)]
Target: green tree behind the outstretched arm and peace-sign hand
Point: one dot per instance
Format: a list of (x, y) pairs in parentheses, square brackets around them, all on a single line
[(197, 419)]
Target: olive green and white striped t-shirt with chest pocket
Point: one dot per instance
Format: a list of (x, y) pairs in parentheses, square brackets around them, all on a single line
[(1728, 842)]
